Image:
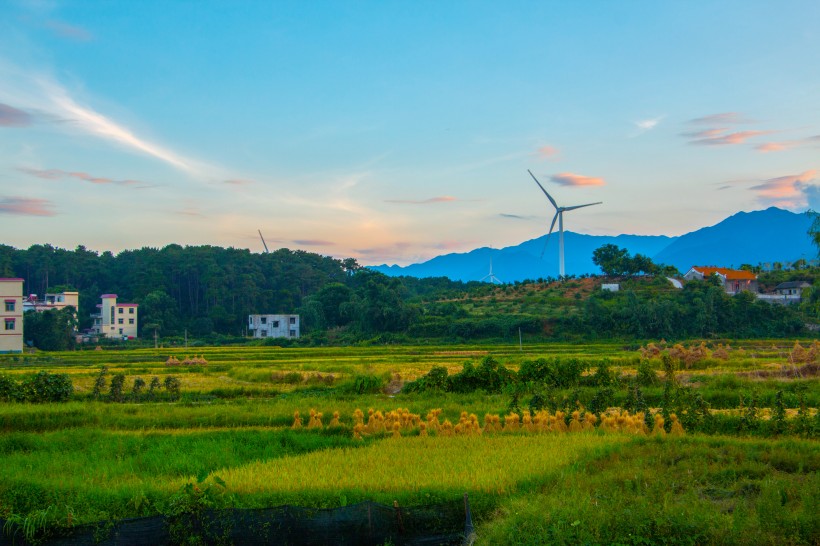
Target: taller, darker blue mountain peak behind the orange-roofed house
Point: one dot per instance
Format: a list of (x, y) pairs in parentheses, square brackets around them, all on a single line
[(759, 237)]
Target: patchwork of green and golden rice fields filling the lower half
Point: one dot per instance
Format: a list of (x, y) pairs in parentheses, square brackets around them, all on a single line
[(745, 471)]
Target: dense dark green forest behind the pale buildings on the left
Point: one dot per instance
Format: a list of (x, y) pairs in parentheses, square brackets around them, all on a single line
[(207, 289)]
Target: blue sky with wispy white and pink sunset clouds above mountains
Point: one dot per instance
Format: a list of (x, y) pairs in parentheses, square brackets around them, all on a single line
[(393, 132)]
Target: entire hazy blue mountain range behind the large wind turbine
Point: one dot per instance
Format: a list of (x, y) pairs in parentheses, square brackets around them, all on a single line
[(759, 237)]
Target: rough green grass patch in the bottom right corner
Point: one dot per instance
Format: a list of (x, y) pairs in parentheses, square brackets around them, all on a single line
[(692, 490)]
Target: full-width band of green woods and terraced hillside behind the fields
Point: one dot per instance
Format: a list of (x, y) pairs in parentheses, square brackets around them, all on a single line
[(210, 291)]
